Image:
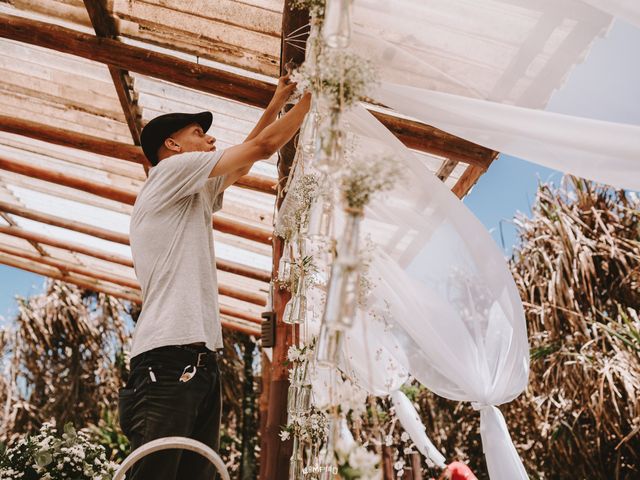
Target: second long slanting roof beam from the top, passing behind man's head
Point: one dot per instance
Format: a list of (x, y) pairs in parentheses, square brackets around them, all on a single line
[(108, 148)]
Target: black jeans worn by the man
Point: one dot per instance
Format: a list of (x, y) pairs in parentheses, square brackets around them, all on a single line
[(155, 404)]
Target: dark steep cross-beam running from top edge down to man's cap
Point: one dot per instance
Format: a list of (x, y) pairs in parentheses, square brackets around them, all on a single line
[(105, 27)]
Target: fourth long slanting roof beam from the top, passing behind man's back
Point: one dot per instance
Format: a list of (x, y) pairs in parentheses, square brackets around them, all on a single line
[(222, 265)]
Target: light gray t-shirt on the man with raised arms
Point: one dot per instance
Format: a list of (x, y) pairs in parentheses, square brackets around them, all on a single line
[(172, 247)]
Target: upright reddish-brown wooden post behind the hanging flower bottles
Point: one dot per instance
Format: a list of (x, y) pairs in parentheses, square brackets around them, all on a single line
[(278, 452)]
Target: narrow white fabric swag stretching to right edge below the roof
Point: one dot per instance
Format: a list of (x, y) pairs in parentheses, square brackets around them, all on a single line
[(602, 151)]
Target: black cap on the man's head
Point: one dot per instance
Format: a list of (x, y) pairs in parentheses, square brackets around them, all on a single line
[(160, 128)]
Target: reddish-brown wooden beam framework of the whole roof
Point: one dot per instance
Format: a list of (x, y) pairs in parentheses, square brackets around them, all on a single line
[(120, 58)]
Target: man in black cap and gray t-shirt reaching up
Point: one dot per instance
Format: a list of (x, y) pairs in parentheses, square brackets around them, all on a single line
[(174, 385)]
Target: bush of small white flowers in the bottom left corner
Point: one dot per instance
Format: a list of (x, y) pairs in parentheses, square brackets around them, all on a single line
[(47, 456)]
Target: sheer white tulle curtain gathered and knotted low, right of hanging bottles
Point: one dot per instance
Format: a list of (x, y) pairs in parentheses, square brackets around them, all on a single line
[(443, 306)]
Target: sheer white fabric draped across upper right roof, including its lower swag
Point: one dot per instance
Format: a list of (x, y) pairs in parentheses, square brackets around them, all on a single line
[(511, 54)]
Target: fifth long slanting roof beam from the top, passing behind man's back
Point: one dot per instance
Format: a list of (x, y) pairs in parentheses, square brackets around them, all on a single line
[(227, 290)]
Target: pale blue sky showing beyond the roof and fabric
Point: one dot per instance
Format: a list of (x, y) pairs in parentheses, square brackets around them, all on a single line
[(606, 87)]
